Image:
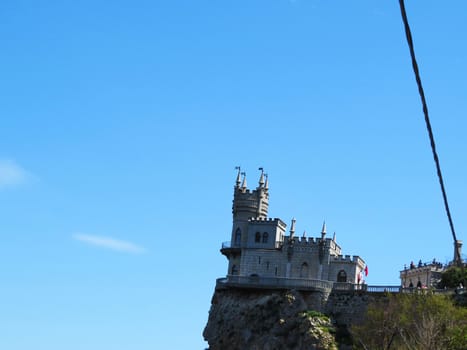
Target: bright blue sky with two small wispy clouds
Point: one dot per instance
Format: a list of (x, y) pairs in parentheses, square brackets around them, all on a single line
[(121, 124)]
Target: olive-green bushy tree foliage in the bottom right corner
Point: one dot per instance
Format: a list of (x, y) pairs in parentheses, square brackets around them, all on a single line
[(416, 321)]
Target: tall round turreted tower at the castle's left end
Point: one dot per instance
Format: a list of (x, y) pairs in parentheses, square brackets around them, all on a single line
[(248, 204)]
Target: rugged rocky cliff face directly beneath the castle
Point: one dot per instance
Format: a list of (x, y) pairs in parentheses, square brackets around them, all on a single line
[(267, 320)]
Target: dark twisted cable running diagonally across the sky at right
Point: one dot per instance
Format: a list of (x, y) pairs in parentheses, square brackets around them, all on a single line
[(408, 35)]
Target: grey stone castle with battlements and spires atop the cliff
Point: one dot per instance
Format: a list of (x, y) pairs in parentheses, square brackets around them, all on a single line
[(260, 248)]
